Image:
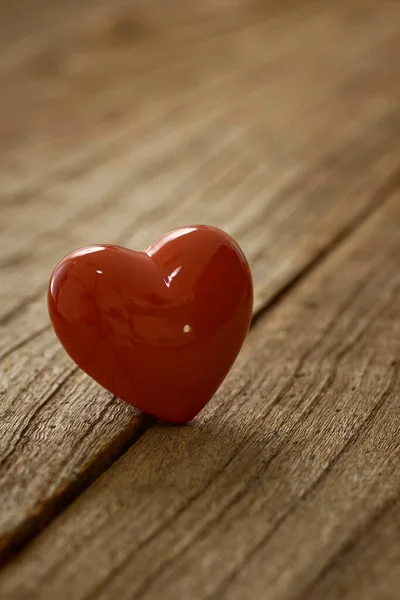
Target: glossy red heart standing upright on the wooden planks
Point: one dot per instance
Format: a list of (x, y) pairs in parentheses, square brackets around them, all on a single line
[(161, 328)]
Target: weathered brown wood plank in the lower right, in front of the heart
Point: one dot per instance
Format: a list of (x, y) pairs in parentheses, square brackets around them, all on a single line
[(287, 467)]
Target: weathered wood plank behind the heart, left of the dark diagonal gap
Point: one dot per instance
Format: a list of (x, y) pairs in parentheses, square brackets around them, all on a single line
[(263, 127)]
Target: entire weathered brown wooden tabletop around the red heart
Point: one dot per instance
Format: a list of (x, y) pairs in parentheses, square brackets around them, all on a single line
[(280, 123)]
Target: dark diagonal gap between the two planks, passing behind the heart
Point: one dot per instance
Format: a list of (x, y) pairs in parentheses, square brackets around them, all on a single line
[(59, 504)]
